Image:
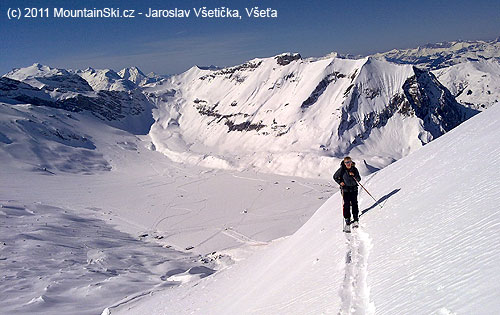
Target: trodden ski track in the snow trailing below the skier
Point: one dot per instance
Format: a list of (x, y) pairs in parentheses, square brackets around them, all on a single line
[(355, 292)]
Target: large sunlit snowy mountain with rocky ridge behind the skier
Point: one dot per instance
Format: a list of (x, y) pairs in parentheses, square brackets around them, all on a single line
[(297, 116)]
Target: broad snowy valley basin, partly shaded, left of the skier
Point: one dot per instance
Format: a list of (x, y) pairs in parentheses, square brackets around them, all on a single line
[(90, 217)]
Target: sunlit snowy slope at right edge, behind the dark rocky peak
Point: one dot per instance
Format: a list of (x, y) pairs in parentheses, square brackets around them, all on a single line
[(475, 83)]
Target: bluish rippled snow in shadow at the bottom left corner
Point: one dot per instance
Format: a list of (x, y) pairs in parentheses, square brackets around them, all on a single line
[(55, 261)]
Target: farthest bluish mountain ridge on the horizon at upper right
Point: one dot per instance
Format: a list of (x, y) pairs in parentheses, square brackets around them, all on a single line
[(440, 55)]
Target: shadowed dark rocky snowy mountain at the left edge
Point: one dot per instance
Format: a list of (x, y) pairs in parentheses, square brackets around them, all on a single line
[(58, 88)]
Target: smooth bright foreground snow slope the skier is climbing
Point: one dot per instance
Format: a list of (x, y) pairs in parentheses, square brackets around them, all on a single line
[(432, 249)]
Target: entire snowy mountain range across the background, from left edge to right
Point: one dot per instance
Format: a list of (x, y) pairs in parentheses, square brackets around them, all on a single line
[(283, 114)]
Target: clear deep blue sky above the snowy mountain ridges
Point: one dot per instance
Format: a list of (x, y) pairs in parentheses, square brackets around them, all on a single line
[(312, 28)]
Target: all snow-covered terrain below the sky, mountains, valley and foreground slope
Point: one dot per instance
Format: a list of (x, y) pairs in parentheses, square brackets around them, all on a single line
[(204, 193)]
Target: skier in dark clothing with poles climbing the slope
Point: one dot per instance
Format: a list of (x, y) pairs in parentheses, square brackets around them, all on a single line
[(347, 177)]
